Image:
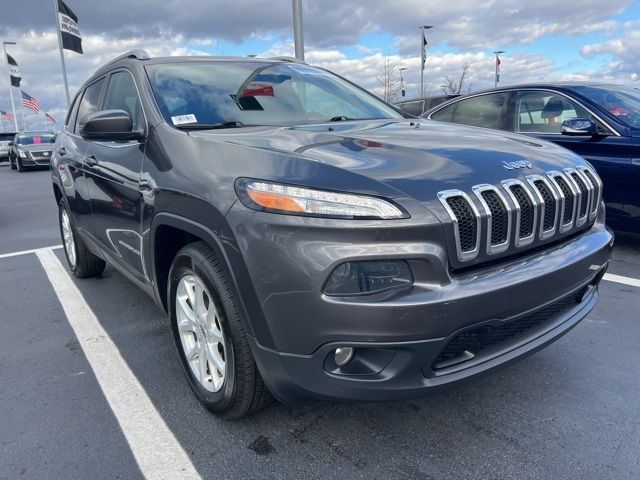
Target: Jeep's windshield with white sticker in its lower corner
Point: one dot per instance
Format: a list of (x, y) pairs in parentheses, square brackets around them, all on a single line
[(251, 93)]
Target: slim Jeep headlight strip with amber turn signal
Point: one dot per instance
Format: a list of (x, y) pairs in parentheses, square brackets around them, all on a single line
[(278, 198)]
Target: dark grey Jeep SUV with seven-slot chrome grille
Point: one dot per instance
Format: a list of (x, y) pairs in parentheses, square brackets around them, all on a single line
[(306, 240)]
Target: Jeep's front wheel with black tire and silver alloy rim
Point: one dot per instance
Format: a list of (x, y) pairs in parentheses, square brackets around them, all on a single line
[(238, 390)]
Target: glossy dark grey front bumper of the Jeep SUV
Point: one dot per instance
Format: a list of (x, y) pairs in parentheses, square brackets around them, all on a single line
[(399, 337)]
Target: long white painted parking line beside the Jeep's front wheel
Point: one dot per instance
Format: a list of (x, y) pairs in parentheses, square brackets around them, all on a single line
[(155, 448)]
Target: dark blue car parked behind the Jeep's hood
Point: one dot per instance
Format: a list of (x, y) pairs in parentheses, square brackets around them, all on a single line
[(600, 122)]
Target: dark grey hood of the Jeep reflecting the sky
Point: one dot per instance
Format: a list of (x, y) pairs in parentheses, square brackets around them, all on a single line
[(417, 159)]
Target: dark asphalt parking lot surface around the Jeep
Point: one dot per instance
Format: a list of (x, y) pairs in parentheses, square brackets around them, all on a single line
[(569, 411)]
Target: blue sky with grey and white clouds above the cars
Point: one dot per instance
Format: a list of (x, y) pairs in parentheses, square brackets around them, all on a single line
[(545, 40)]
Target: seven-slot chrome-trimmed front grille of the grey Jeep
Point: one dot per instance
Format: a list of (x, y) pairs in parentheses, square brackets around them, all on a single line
[(517, 213)]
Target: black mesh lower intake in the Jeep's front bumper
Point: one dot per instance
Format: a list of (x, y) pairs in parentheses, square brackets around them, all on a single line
[(475, 341)]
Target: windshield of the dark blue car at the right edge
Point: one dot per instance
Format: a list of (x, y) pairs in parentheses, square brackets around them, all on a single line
[(622, 102)]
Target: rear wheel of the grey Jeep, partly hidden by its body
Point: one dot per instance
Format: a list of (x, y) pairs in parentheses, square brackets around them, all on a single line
[(81, 261)]
